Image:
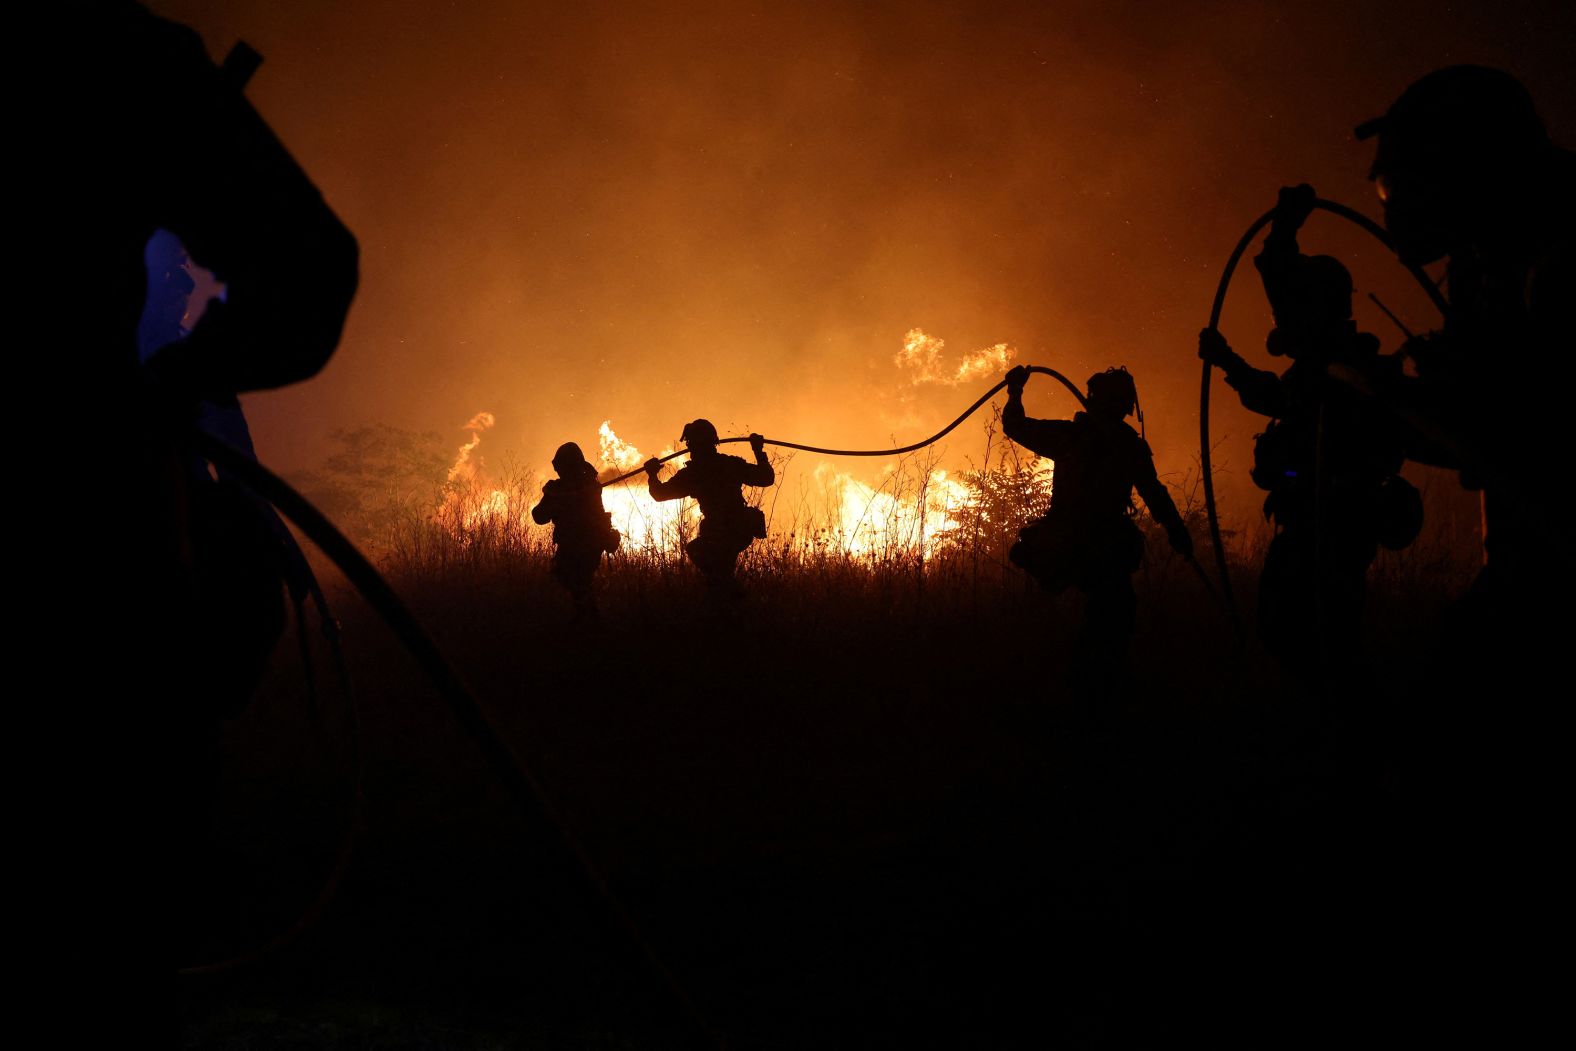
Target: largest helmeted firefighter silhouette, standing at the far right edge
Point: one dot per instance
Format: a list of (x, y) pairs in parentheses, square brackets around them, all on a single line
[(1468, 173)]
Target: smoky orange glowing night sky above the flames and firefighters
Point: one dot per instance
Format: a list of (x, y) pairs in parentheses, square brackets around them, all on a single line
[(645, 214)]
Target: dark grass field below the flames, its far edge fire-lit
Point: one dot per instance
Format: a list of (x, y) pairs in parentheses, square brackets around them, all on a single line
[(855, 811)]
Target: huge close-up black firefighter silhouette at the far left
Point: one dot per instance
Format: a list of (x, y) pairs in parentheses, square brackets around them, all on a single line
[(157, 138)]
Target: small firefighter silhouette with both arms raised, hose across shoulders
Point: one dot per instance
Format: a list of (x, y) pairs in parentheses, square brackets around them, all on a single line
[(729, 525)]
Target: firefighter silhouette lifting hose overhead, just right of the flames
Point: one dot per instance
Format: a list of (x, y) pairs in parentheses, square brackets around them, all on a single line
[(1088, 538)]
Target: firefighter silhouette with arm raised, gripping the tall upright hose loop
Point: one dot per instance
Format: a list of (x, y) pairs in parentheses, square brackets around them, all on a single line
[(1328, 459)]
